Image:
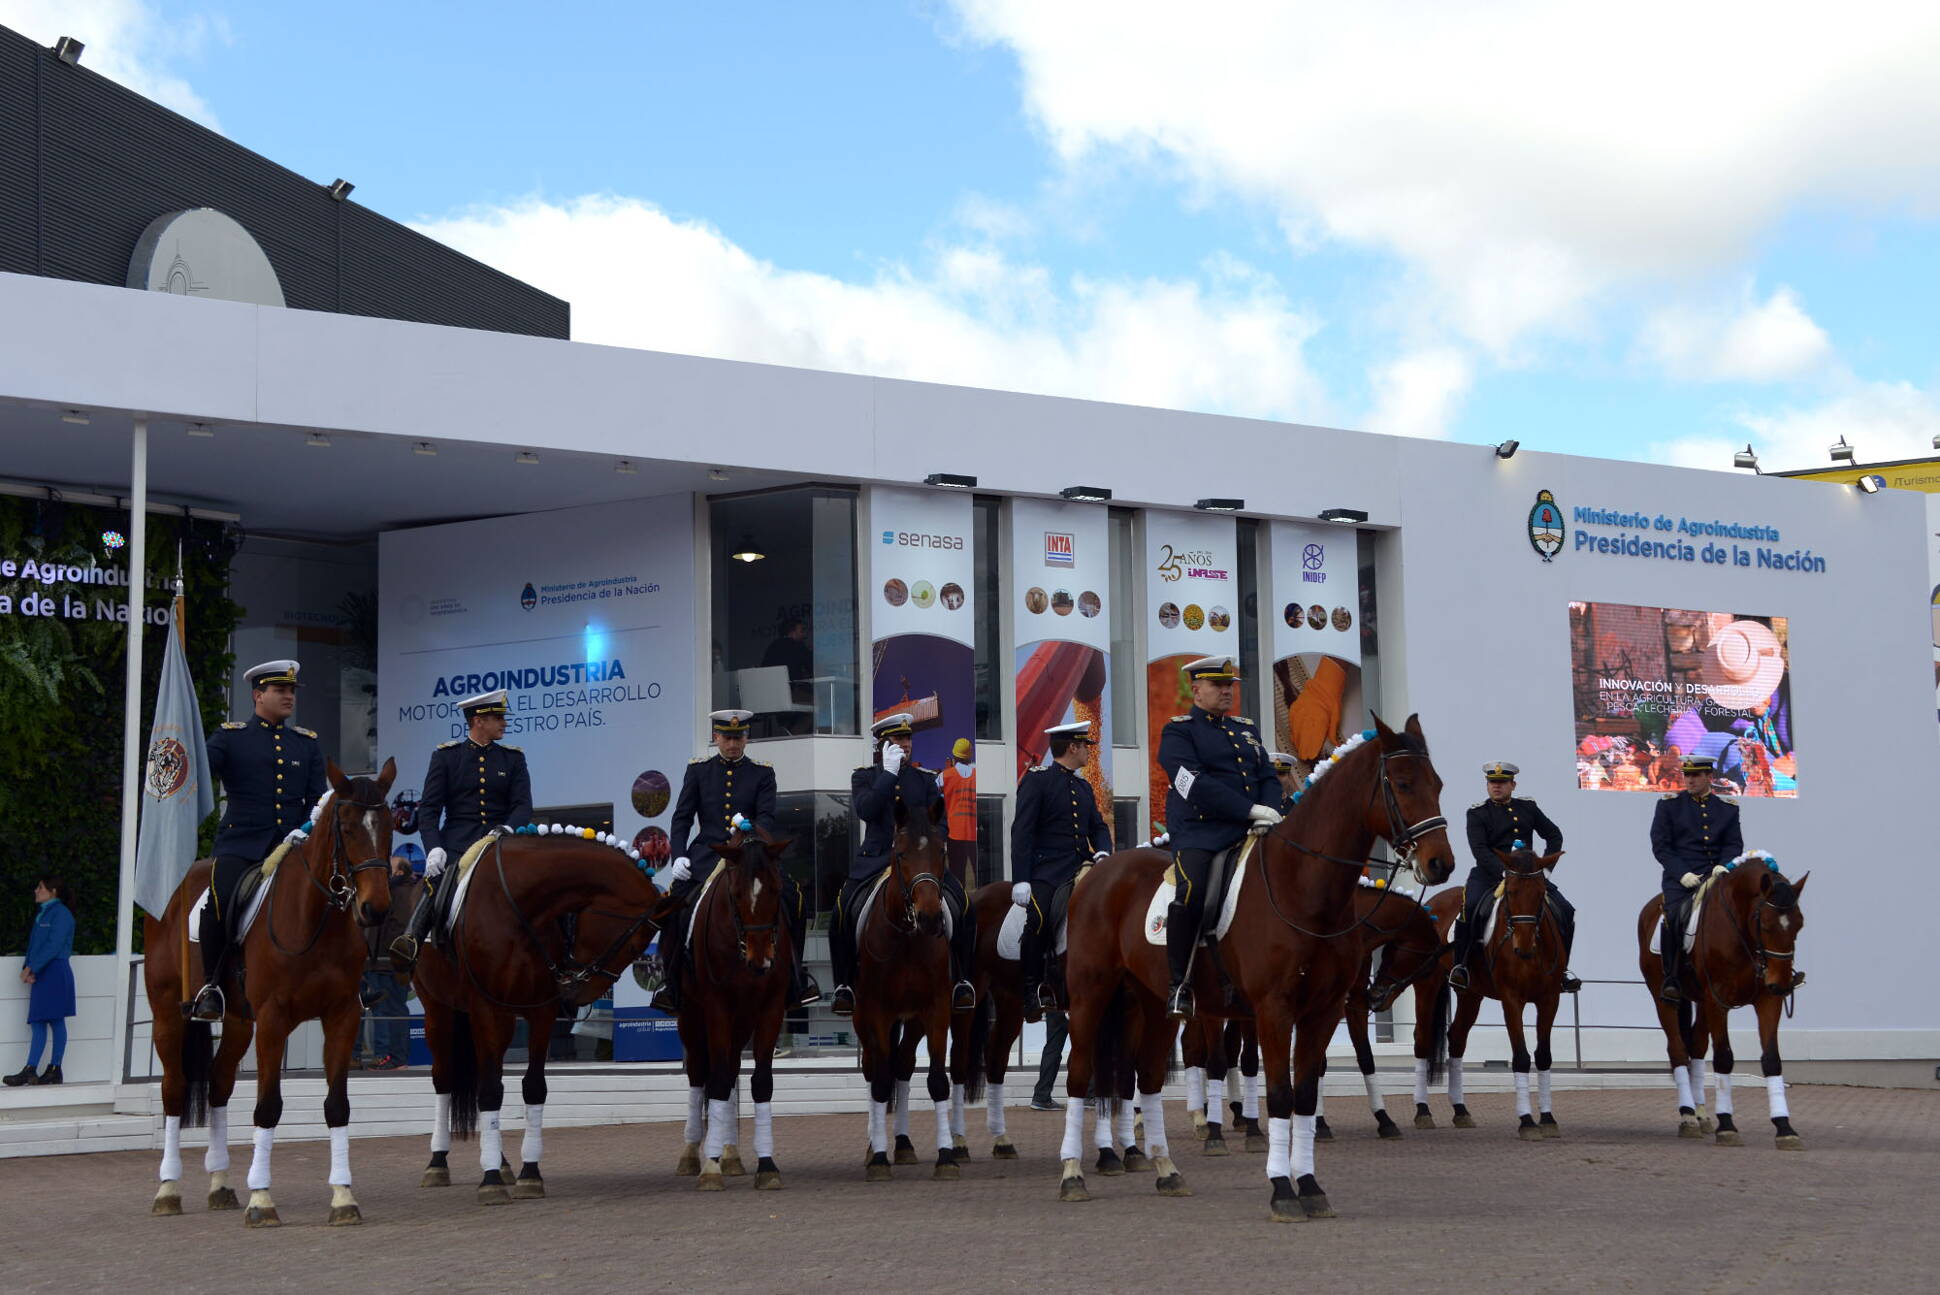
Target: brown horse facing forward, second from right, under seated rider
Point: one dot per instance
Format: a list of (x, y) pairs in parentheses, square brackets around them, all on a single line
[(1520, 963)]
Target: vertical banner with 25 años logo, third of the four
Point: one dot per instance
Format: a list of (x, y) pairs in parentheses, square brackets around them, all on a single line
[(1192, 592)]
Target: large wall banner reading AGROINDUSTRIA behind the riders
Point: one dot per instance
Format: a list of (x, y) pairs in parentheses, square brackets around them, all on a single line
[(585, 617)]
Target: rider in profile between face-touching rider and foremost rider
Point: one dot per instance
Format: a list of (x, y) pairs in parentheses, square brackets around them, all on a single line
[(1056, 831)]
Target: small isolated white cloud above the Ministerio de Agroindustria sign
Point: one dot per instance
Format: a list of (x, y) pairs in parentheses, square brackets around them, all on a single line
[(1751, 342)]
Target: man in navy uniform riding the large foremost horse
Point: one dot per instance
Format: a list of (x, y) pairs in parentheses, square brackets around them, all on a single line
[(1221, 788)]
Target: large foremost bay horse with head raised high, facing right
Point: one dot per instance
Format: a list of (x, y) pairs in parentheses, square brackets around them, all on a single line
[(1291, 957)]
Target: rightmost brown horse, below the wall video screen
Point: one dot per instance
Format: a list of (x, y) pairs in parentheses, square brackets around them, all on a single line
[(1743, 957)]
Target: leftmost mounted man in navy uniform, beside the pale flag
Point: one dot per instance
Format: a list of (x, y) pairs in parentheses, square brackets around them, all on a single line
[(273, 774)]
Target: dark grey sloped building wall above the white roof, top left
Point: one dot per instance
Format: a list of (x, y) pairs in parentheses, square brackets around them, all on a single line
[(86, 166)]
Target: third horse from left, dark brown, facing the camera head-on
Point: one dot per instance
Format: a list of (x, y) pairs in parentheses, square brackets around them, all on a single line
[(736, 999)]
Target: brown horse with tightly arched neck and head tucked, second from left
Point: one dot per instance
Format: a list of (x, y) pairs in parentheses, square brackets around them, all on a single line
[(505, 961)]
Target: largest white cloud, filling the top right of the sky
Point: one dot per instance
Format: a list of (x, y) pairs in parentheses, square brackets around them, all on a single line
[(1528, 158)]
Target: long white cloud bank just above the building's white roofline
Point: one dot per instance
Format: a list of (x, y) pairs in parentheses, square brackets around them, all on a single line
[(1225, 340)]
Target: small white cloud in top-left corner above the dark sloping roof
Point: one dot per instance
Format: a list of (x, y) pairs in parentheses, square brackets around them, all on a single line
[(127, 42)]
